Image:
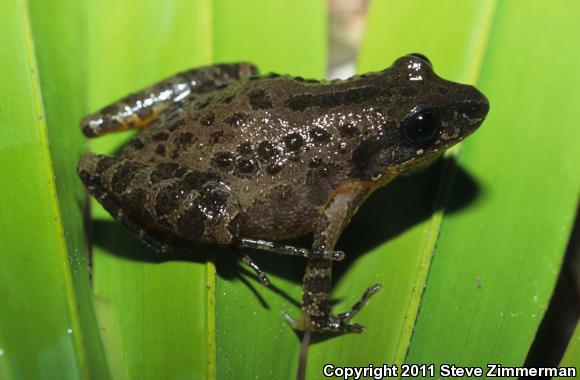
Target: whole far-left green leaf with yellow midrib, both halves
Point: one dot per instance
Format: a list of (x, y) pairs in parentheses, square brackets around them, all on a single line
[(47, 325)]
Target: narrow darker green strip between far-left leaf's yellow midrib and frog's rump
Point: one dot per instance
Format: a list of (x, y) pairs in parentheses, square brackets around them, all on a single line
[(61, 72)]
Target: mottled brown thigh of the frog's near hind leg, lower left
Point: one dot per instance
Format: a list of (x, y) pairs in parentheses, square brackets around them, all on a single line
[(163, 203)]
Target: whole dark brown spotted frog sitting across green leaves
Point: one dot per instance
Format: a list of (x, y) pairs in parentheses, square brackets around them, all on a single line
[(228, 157)]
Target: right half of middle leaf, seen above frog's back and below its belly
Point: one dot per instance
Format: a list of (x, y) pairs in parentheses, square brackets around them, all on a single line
[(264, 32)]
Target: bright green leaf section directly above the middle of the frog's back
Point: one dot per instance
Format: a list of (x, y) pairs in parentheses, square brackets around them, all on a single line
[(283, 36)]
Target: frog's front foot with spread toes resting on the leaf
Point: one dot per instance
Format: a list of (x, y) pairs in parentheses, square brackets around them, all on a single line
[(333, 323)]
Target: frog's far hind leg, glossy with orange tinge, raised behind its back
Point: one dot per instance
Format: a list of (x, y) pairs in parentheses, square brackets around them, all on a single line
[(166, 97)]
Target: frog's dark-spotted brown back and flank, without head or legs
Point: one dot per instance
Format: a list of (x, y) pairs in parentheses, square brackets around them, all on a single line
[(270, 142)]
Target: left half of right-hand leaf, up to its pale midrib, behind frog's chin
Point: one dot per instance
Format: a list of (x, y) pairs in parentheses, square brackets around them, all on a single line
[(394, 234)]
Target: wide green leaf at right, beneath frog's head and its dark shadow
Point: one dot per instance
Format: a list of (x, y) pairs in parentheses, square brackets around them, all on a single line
[(489, 284)]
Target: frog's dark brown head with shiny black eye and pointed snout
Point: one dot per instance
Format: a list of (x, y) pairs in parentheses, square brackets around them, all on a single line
[(425, 116)]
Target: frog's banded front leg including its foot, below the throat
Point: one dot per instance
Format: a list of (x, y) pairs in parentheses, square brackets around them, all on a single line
[(317, 281)]
